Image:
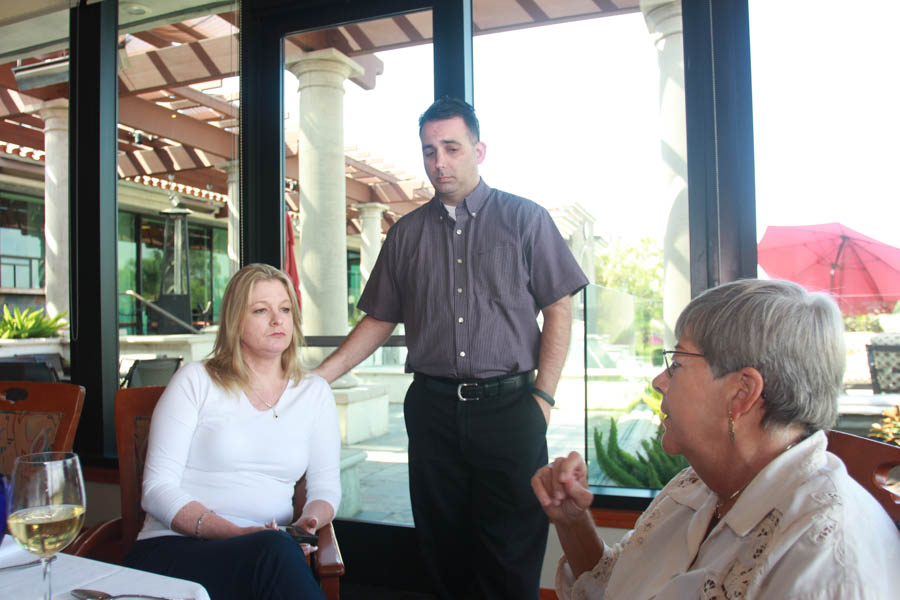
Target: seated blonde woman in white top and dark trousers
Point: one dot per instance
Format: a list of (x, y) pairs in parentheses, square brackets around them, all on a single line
[(229, 438)]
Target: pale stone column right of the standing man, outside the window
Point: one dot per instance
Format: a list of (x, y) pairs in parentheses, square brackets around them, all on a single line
[(663, 18)]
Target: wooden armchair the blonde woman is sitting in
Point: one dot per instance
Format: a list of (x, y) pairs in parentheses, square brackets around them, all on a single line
[(110, 541)]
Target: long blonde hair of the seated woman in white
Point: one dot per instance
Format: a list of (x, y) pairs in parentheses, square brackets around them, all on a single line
[(226, 367)]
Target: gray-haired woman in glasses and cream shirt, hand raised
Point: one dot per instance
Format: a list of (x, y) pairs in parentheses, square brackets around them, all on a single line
[(763, 511)]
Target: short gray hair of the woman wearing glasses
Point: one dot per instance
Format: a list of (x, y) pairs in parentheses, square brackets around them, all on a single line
[(794, 338)]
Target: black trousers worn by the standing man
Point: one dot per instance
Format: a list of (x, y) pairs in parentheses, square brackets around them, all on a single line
[(482, 532)]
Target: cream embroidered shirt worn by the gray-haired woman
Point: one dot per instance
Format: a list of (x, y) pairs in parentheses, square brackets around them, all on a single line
[(802, 529)]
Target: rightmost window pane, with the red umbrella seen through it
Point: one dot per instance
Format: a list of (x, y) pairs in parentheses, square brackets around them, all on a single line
[(825, 130)]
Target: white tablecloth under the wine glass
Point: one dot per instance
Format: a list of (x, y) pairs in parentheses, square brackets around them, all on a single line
[(72, 572)]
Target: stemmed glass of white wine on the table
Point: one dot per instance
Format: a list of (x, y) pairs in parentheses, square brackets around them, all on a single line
[(46, 504)]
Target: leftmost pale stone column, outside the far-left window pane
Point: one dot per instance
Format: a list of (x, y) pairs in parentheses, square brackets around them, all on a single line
[(55, 114)]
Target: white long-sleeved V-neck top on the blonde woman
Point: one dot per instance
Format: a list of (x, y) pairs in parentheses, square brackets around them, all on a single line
[(216, 448)]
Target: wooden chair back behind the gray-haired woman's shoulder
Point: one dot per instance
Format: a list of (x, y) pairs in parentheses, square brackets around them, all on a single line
[(869, 462)]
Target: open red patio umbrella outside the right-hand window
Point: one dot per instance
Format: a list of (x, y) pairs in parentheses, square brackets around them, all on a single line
[(861, 273)]
